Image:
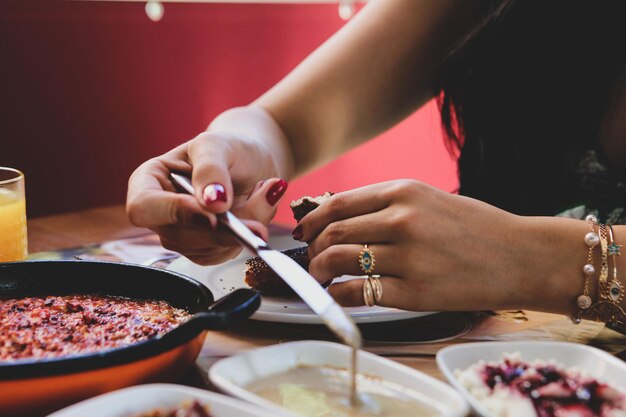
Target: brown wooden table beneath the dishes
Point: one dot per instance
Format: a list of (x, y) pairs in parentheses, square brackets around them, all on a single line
[(110, 223)]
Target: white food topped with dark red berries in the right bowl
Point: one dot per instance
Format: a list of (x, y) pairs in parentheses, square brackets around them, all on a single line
[(512, 387)]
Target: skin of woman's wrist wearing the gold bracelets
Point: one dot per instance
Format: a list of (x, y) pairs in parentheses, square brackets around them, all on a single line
[(548, 270)]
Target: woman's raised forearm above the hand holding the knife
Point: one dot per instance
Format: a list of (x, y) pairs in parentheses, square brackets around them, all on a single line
[(371, 74)]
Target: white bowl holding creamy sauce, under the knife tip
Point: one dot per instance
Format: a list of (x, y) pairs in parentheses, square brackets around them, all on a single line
[(233, 374)]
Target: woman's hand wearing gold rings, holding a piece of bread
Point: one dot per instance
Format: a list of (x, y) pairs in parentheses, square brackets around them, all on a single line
[(433, 250)]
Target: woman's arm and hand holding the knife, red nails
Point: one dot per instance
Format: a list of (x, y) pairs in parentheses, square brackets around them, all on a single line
[(371, 74)]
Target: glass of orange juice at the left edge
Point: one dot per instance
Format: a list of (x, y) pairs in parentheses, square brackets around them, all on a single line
[(13, 238)]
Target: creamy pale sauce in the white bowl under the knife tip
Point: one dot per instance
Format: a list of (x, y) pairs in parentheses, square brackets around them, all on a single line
[(323, 391)]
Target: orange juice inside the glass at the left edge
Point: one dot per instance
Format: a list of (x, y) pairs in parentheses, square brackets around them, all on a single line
[(13, 239)]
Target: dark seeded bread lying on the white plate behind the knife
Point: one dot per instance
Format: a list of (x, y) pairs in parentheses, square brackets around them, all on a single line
[(260, 277)]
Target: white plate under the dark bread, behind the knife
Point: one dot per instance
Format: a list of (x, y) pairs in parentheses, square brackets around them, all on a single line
[(225, 278)]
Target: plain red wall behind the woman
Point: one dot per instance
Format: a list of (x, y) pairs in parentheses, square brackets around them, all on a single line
[(89, 90)]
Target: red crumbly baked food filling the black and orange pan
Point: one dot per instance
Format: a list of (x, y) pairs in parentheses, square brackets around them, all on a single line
[(53, 326)]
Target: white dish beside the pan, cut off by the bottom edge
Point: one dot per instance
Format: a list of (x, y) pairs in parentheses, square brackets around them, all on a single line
[(129, 402)]
